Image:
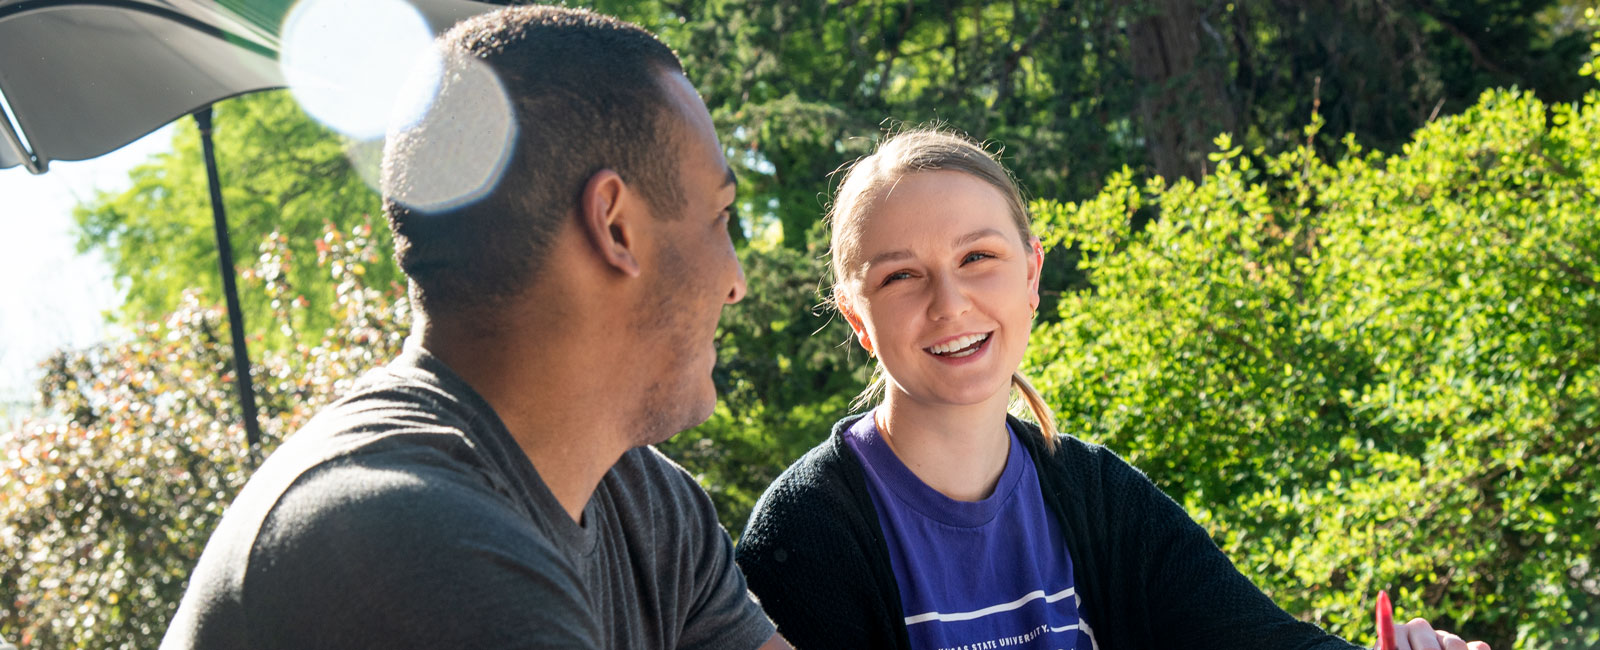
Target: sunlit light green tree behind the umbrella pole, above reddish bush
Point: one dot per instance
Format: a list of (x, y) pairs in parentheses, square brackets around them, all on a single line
[(281, 172)]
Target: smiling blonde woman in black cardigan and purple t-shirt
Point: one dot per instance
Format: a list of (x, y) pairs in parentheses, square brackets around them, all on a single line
[(937, 520)]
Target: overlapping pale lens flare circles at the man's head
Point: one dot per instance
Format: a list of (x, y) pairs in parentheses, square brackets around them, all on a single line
[(369, 68)]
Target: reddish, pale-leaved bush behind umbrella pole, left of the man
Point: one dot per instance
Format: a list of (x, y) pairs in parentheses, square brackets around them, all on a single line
[(110, 497)]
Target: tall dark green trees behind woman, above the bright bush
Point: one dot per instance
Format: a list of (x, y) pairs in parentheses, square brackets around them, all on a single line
[(1078, 90)]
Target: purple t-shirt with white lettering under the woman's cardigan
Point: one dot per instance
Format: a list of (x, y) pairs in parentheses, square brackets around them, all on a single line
[(974, 576)]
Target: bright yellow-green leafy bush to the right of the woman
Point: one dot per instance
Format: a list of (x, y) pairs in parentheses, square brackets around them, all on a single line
[(1382, 372)]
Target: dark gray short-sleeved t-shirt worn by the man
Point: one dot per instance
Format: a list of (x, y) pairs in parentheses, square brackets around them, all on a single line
[(407, 516)]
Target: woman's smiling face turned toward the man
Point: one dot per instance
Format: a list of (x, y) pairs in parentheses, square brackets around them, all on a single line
[(943, 289)]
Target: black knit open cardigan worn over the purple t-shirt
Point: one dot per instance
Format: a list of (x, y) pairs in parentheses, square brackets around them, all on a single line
[(1150, 576)]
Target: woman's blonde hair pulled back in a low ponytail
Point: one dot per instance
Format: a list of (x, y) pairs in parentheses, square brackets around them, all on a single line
[(922, 150)]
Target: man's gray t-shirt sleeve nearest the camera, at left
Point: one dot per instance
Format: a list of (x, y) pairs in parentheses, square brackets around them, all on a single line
[(366, 558)]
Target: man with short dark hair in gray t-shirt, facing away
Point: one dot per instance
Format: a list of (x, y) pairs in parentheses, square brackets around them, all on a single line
[(494, 487)]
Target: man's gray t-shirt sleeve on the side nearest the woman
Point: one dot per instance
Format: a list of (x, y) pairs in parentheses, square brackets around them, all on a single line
[(722, 614)]
